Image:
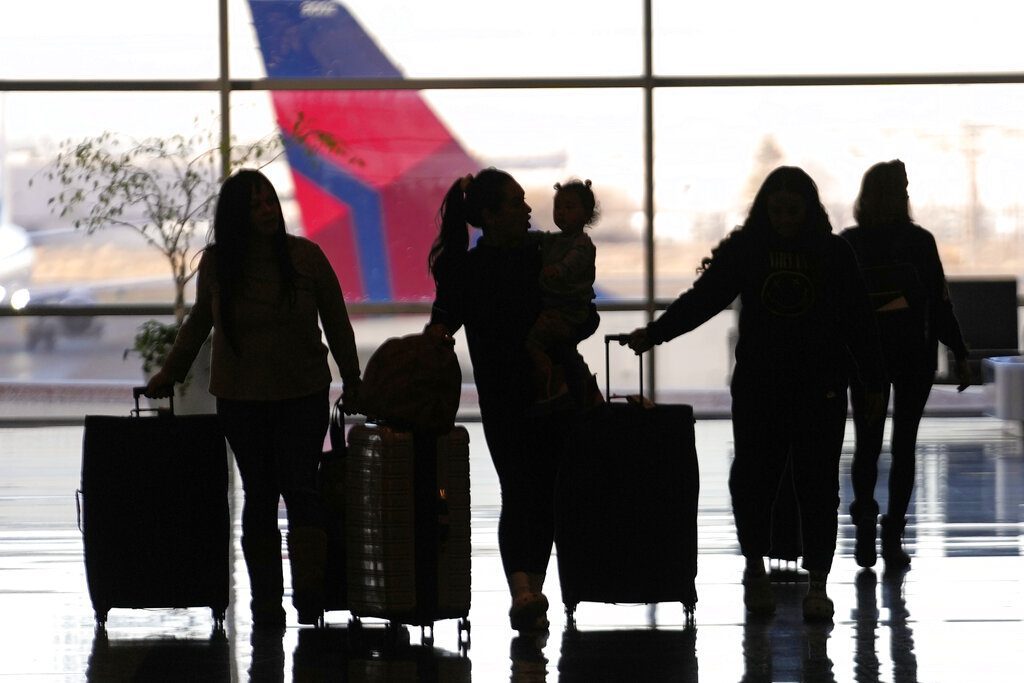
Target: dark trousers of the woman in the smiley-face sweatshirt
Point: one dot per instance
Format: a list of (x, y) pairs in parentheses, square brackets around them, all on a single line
[(770, 428)]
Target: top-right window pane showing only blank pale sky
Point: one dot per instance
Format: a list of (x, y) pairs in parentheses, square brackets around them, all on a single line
[(801, 37)]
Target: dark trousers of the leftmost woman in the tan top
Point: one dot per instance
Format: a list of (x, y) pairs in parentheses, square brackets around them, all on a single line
[(278, 446)]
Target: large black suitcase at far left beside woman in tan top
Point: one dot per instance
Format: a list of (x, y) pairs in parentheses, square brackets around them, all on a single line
[(155, 517)]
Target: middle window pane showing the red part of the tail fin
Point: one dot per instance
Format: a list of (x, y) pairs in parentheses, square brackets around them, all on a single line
[(372, 202)]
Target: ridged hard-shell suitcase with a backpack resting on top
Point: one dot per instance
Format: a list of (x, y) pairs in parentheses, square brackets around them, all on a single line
[(407, 520)]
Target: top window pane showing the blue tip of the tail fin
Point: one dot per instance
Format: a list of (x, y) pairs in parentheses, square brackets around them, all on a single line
[(440, 39)]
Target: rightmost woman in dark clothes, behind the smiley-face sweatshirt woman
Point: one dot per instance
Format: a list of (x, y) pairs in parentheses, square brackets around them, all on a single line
[(904, 274)]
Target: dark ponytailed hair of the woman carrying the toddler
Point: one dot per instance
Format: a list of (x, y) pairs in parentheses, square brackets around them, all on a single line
[(464, 203)]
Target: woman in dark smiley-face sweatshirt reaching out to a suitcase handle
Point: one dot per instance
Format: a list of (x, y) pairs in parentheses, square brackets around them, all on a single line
[(804, 316)]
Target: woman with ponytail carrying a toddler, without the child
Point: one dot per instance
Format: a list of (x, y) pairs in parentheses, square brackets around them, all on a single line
[(494, 291)]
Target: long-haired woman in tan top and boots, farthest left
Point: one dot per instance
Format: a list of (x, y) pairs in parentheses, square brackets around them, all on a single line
[(263, 291)]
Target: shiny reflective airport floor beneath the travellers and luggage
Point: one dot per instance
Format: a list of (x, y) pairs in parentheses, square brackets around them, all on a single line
[(957, 616)]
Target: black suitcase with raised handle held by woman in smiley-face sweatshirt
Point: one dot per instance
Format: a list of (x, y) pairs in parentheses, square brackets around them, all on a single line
[(626, 505)]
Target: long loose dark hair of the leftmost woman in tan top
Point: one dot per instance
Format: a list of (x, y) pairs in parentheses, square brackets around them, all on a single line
[(233, 236)]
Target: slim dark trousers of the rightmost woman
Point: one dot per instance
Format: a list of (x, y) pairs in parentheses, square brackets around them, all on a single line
[(910, 397)]
